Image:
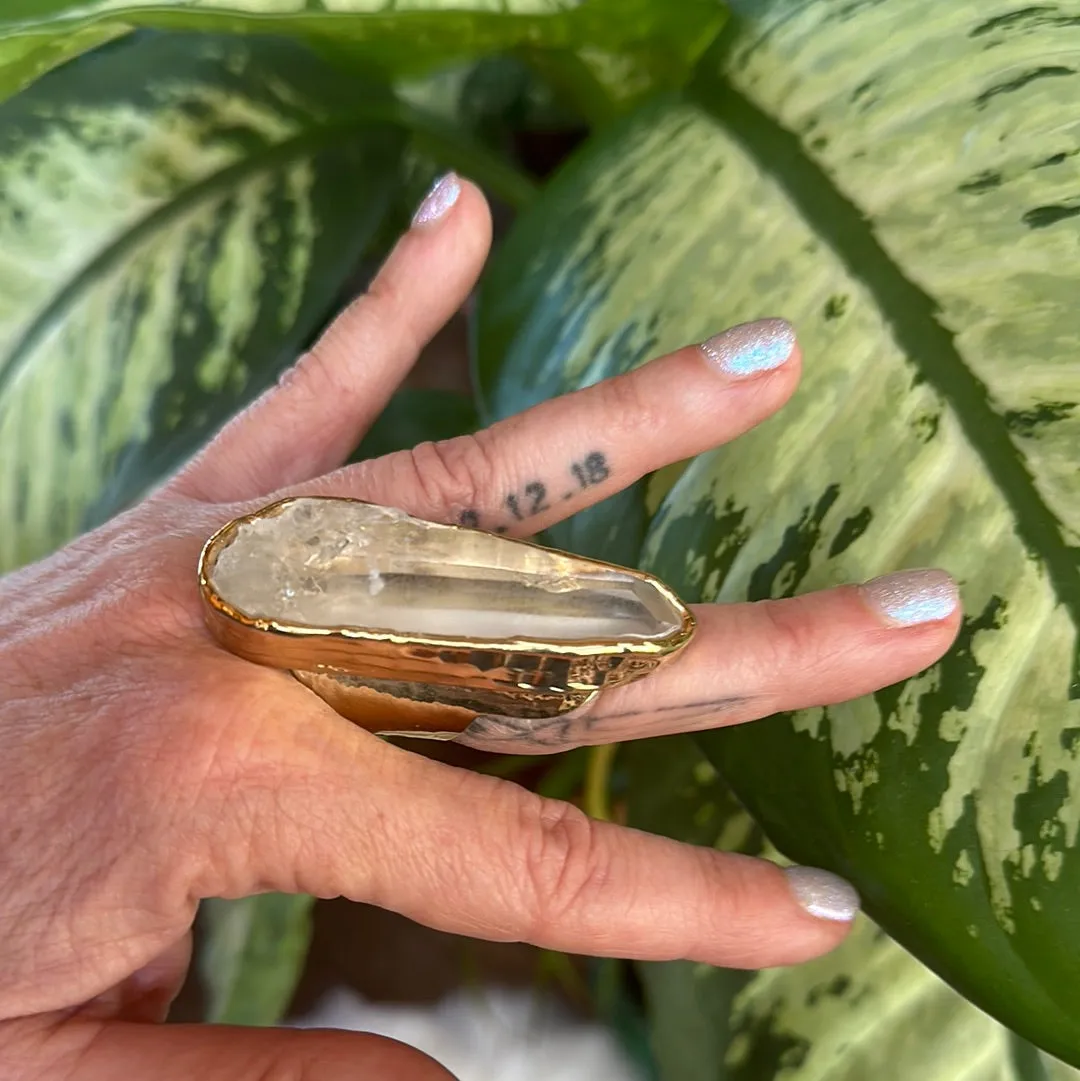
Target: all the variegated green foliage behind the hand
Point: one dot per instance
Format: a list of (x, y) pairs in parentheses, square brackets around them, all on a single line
[(899, 177)]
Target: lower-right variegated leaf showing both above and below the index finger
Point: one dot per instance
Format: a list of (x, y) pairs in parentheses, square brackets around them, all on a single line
[(868, 1010)]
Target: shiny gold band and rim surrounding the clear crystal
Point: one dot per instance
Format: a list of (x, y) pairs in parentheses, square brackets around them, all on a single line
[(435, 687)]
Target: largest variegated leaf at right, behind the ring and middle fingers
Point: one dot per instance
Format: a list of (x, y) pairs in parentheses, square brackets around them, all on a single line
[(900, 179)]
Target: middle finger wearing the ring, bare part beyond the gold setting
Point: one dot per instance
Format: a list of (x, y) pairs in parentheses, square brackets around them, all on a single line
[(751, 661)]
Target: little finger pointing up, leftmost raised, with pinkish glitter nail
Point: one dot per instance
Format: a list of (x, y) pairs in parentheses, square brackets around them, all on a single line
[(312, 421)]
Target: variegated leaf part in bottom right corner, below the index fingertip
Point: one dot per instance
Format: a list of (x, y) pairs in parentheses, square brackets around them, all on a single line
[(869, 1010)]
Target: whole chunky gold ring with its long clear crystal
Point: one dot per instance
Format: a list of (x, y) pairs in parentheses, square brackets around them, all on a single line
[(409, 628)]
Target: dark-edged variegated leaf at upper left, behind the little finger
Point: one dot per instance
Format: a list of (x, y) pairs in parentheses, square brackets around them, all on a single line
[(178, 216)]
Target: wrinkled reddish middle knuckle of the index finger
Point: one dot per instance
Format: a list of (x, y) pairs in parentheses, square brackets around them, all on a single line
[(566, 864)]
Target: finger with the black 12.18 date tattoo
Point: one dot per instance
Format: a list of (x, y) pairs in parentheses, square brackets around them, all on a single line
[(530, 471)]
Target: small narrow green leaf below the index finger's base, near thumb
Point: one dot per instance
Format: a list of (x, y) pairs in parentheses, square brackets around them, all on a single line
[(254, 956)]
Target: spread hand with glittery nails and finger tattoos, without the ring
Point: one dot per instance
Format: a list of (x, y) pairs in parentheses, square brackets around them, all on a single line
[(144, 768)]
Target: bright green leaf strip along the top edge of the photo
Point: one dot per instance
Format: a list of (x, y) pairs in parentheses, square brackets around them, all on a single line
[(628, 47)]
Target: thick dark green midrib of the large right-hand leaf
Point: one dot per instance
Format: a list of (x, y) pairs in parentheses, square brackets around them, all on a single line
[(912, 314)]
